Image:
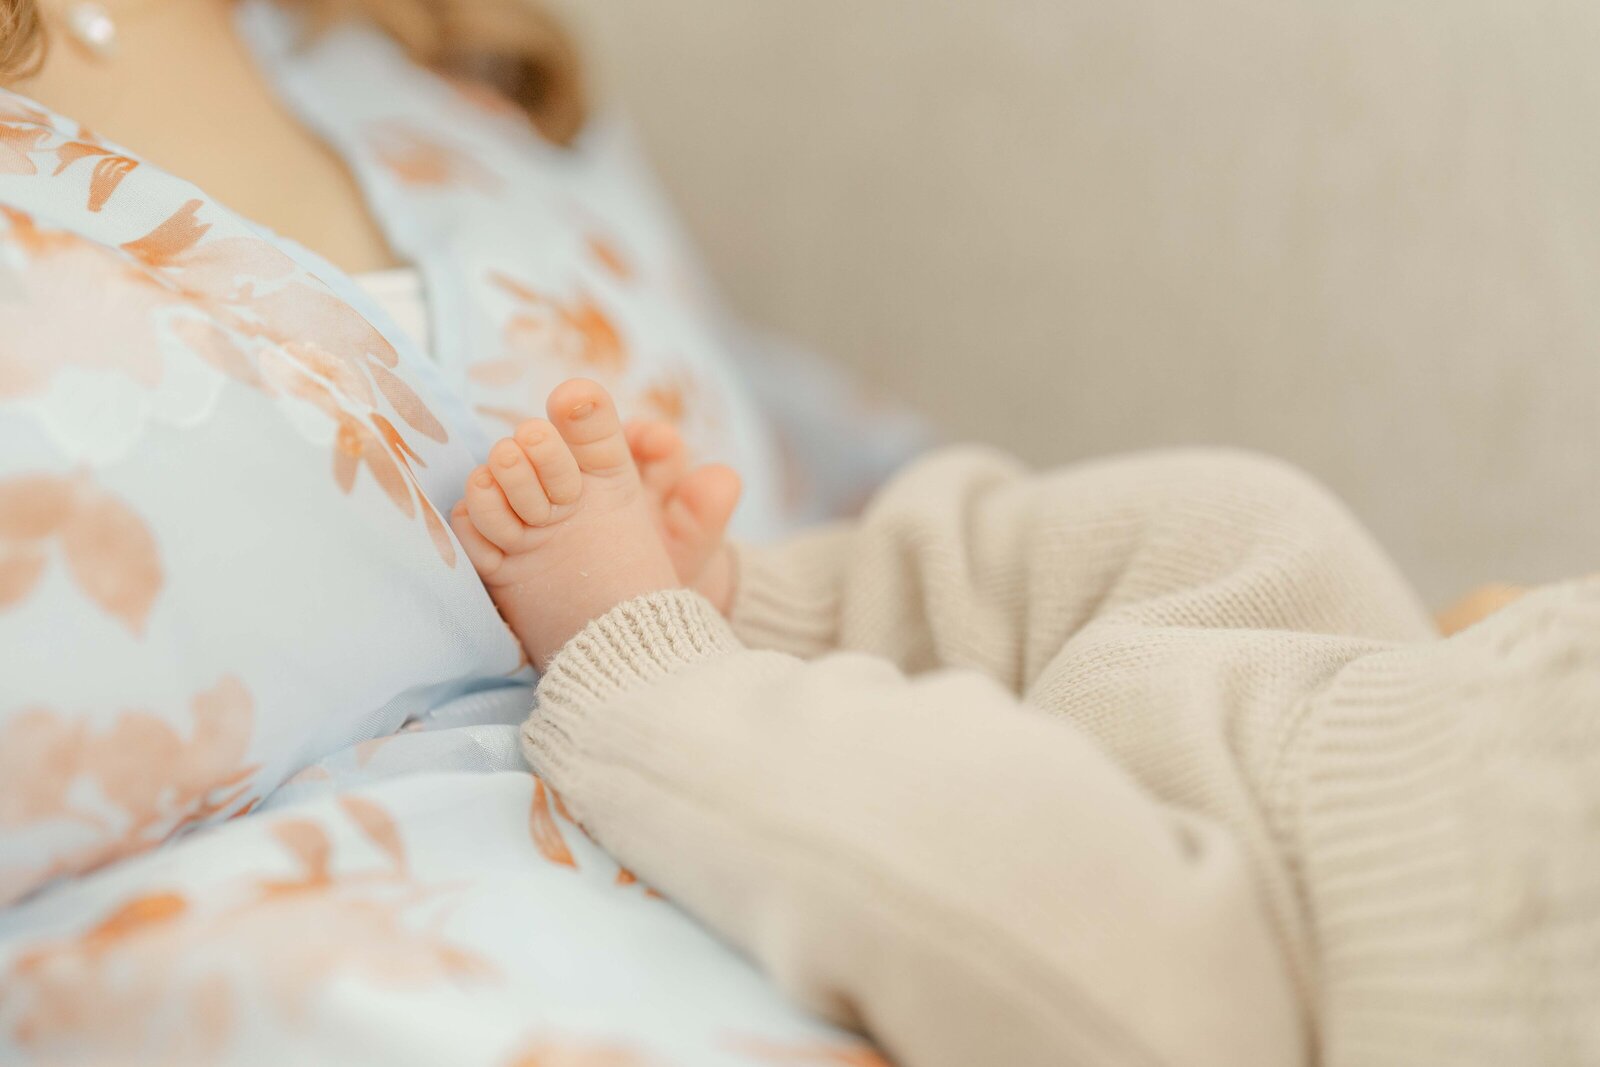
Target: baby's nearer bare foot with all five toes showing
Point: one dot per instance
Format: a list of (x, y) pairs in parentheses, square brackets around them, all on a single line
[(559, 524)]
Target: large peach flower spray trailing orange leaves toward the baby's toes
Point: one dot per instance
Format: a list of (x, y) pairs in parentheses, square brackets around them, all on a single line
[(239, 305)]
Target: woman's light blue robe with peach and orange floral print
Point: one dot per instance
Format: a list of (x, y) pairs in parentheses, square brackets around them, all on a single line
[(260, 791)]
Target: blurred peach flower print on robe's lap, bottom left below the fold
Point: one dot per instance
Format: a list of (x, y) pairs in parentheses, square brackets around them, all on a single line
[(282, 937)]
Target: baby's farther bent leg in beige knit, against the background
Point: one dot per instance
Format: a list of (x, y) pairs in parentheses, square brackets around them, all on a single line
[(974, 561)]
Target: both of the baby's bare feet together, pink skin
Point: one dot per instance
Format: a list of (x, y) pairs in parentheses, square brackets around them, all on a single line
[(577, 514)]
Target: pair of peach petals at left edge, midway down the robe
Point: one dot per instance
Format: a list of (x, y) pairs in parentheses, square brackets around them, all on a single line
[(106, 546)]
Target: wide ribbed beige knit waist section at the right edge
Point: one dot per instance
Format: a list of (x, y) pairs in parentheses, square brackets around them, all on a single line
[(1446, 804)]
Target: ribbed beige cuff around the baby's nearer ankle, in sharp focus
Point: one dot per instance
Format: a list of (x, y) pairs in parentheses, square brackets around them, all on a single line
[(625, 650)]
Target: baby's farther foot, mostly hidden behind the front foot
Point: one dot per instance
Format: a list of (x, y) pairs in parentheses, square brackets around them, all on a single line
[(692, 508)]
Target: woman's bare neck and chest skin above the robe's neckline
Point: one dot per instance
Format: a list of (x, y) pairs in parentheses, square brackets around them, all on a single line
[(185, 94)]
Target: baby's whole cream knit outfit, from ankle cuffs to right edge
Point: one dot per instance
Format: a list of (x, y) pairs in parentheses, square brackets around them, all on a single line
[(1145, 762)]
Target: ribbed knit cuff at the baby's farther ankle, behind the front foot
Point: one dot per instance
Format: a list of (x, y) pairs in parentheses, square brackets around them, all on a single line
[(788, 597)]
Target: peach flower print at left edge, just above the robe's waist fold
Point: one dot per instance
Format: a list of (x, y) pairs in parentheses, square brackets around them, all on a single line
[(130, 785)]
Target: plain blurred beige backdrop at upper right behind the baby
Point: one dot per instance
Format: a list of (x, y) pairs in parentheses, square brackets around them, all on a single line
[(1359, 234)]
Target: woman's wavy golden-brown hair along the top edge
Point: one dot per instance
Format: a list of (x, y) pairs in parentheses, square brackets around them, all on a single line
[(514, 47)]
